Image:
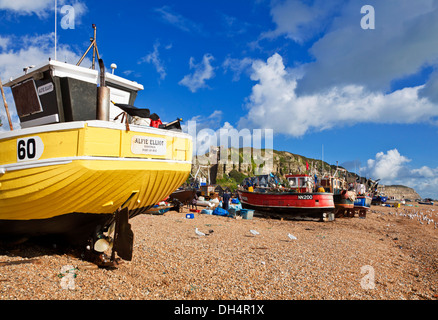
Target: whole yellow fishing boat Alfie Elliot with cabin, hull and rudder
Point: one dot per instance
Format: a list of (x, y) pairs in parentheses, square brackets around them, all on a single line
[(73, 170)]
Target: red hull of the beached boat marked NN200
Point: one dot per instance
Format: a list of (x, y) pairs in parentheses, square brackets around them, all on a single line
[(297, 206)]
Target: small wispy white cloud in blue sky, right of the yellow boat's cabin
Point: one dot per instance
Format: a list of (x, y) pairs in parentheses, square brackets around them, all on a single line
[(202, 71)]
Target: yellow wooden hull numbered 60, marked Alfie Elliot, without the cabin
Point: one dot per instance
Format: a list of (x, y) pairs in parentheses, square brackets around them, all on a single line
[(69, 179)]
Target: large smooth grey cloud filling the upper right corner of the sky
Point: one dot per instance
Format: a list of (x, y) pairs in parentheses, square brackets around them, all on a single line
[(402, 44)]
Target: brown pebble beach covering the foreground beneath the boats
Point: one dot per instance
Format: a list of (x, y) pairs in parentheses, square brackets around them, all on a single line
[(392, 254)]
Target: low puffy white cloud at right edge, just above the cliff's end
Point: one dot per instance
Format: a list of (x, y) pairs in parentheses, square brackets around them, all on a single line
[(392, 168)]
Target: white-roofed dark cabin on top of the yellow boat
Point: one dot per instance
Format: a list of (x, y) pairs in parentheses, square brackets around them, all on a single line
[(60, 92)]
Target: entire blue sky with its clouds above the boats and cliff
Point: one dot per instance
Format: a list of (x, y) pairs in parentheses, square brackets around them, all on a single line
[(306, 69)]
